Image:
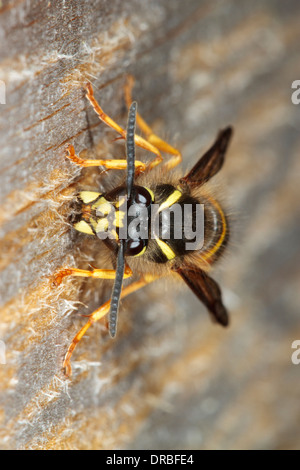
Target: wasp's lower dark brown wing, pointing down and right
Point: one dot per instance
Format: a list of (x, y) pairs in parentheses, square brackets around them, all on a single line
[(206, 289)]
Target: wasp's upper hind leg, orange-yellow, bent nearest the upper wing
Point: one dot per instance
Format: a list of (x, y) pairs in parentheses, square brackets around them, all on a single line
[(150, 136)]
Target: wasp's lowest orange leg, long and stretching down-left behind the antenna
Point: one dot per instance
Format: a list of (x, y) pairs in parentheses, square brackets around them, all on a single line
[(97, 315)]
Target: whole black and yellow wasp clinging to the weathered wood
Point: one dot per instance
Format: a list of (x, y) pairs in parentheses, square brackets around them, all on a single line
[(149, 254)]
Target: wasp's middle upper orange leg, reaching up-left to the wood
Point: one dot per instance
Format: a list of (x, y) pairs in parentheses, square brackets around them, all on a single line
[(140, 141)]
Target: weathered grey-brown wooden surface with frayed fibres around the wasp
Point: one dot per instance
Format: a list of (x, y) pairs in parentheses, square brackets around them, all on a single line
[(171, 379)]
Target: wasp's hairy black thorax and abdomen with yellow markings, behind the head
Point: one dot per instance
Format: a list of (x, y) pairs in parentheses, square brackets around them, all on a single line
[(172, 241)]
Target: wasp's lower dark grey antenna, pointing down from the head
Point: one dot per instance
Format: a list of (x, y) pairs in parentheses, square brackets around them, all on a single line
[(116, 293)]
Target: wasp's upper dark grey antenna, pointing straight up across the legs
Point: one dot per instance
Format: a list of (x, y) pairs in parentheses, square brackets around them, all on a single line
[(130, 148)]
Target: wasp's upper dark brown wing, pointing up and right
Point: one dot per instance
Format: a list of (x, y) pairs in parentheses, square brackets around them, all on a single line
[(211, 162)]
